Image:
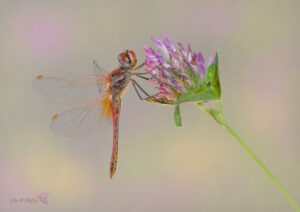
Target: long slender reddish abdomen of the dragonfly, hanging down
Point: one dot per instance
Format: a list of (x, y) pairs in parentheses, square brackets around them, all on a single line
[(116, 107)]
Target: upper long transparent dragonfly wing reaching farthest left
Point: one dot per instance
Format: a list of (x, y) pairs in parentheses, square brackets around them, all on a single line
[(69, 91)]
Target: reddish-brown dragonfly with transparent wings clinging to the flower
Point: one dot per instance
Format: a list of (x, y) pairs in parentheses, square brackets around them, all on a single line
[(101, 96)]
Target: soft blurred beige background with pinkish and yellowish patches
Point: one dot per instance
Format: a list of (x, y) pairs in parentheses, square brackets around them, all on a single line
[(198, 167)]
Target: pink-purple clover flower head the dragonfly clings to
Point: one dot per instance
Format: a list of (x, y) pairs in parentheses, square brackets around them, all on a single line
[(178, 72)]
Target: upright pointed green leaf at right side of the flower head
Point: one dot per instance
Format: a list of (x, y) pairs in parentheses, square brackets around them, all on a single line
[(212, 77)]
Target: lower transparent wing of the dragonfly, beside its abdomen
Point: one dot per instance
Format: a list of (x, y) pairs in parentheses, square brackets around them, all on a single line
[(81, 120)]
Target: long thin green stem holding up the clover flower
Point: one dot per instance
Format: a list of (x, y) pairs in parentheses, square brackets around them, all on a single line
[(260, 163)]
